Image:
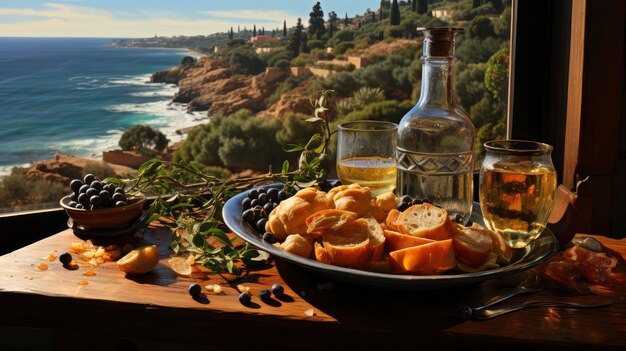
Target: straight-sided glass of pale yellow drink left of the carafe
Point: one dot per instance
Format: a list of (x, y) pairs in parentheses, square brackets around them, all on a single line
[(366, 154)]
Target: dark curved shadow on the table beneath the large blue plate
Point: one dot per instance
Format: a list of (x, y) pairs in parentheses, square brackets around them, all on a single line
[(379, 309)]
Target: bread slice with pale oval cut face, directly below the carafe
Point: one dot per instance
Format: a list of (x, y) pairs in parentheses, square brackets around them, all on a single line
[(425, 221)]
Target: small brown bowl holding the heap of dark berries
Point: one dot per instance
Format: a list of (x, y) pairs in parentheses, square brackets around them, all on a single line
[(105, 218)]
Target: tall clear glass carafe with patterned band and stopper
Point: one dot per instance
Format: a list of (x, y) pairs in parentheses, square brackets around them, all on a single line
[(436, 138)]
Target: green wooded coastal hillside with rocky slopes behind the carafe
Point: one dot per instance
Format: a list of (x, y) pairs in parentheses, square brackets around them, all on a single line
[(371, 61)]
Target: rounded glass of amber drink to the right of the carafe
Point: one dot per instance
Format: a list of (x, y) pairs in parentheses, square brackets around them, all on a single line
[(517, 187)]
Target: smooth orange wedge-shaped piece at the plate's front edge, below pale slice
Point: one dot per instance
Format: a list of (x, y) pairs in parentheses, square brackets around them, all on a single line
[(432, 258)]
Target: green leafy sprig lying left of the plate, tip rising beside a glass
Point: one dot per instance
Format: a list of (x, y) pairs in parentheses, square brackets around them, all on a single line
[(189, 202)]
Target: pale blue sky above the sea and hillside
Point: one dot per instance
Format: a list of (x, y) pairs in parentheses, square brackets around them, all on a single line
[(146, 18)]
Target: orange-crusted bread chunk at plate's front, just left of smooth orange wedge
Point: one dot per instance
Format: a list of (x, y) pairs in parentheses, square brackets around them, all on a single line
[(350, 245)]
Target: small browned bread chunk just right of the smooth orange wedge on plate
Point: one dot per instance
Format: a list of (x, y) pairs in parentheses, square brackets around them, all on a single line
[(472, 246)]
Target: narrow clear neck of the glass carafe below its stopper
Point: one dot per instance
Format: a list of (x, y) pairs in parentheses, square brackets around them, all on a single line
[(437, 83)]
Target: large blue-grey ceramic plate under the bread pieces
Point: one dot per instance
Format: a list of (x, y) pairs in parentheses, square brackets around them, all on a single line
[(539, 250)]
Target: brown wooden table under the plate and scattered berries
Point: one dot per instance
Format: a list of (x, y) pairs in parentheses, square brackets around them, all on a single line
[(151, 311)]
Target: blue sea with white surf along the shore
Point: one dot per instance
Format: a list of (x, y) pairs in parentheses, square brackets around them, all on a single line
[(77, 96)]
